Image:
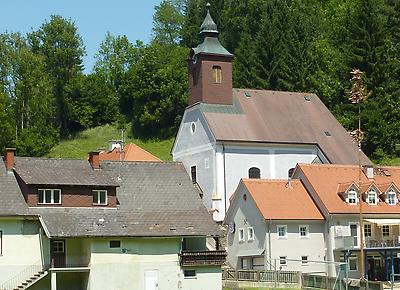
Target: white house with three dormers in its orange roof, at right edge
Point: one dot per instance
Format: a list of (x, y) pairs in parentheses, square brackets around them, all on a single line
[(338, 191)]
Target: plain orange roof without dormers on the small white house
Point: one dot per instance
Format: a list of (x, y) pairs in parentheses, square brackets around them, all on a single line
[(278, 201)]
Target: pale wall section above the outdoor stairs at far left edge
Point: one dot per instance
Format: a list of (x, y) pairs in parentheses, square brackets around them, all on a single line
[(21, 247)]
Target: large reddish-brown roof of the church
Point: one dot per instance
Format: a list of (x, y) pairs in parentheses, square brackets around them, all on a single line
[(282, 117)]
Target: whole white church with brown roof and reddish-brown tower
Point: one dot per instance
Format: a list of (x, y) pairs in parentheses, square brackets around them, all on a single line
[(227, 133)]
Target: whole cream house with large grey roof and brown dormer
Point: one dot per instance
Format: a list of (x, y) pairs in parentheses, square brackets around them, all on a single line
[(74, 224)]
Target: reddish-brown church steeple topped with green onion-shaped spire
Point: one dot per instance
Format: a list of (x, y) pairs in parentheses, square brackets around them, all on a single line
[(210, 67)]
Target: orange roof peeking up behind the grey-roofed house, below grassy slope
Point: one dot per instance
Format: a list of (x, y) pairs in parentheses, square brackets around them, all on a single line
[(131, 152)]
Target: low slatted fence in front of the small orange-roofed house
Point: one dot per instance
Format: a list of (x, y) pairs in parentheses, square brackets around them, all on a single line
[(262, 276)]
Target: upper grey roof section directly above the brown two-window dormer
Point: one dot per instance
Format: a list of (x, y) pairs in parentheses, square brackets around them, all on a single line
[(55, 171)]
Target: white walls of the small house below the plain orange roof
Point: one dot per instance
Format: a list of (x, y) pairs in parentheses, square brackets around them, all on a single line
[(245, 214)]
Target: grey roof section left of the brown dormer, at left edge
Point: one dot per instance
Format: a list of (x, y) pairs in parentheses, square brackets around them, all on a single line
[(11, 199)]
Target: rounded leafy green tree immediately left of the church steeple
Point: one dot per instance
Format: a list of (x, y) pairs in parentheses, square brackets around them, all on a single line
[(157, 91)]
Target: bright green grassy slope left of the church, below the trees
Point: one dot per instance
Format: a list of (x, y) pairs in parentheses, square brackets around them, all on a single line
[(93, 139)]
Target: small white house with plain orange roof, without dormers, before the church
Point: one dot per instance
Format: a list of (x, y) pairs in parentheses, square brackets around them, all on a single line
[(274, 225)]
